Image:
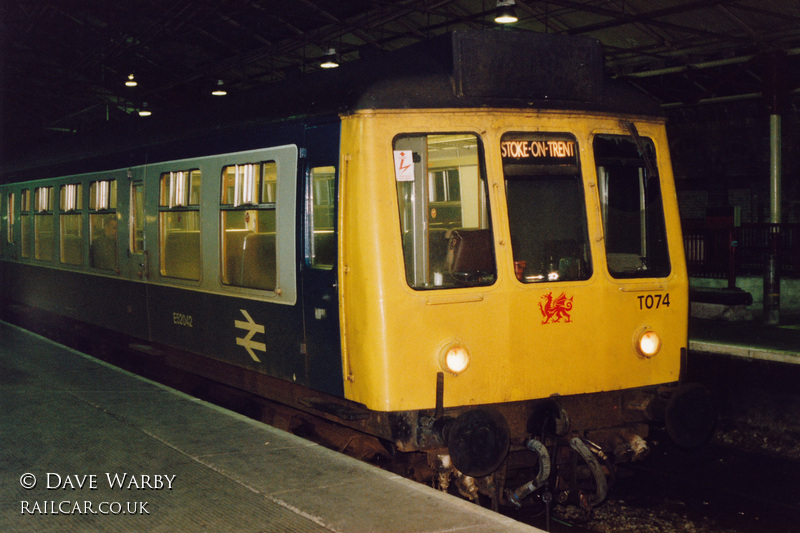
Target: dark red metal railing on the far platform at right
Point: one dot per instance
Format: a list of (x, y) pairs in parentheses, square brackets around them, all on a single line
[(743, 251)]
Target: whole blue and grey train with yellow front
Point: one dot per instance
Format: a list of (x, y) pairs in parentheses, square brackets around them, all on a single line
[(469, 249)]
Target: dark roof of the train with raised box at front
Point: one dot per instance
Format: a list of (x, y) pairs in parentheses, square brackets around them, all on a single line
[(462, 69)]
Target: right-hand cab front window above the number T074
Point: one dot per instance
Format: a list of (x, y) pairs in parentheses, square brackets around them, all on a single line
[(631, 207)]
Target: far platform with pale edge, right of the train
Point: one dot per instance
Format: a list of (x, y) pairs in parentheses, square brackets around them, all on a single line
[(749, 339)]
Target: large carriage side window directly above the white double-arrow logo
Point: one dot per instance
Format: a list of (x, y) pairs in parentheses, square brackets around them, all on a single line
[(248, 207)]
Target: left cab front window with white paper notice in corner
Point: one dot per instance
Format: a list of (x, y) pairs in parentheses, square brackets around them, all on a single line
[(444, 215)]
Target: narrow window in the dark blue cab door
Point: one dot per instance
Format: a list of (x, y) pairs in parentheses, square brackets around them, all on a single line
[(320, 213)]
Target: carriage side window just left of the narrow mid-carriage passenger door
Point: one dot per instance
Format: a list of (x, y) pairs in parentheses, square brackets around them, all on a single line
[(103, 252)]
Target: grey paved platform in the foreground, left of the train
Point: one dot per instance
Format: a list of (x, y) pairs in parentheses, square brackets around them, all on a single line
[(85, 446)]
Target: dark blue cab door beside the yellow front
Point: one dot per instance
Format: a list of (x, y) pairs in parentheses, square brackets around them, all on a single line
[(320, 298)]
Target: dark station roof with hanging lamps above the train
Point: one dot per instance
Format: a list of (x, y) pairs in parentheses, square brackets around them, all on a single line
[(64, 63)]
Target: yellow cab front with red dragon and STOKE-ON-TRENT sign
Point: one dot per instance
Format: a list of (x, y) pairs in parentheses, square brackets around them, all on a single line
[(568, 272)]
